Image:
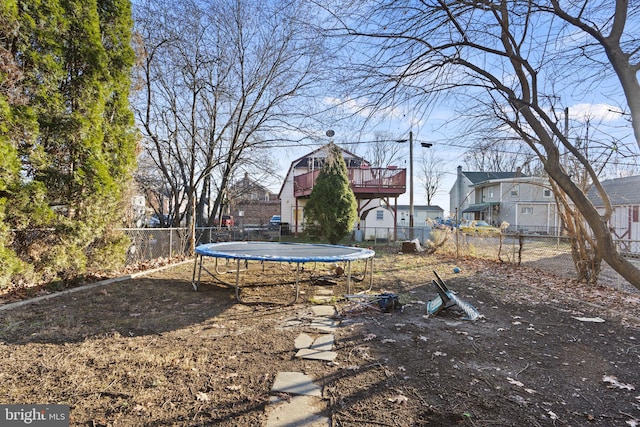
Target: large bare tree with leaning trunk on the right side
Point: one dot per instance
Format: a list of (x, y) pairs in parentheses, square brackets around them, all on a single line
[(509, 57)]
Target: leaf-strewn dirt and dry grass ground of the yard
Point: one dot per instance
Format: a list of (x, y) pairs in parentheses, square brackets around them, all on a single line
[(152, 352)]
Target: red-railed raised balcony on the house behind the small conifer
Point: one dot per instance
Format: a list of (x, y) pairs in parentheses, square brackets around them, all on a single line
[(366, 182)]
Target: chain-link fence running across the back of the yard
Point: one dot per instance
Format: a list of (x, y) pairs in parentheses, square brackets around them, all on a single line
[(548, 253)]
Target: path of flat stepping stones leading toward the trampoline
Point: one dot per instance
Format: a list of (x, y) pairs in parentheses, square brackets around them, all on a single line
[(297, 400)]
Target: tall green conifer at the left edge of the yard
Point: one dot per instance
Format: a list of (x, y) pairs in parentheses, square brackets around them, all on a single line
[(66, 120)]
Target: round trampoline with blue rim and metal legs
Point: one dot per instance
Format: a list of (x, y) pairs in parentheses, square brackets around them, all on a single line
[(298, 253)]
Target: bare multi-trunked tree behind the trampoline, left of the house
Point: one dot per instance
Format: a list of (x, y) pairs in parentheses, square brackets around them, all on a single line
[(219, 81)]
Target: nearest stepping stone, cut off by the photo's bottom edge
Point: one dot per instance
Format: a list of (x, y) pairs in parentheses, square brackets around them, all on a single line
[(300, 411)]
